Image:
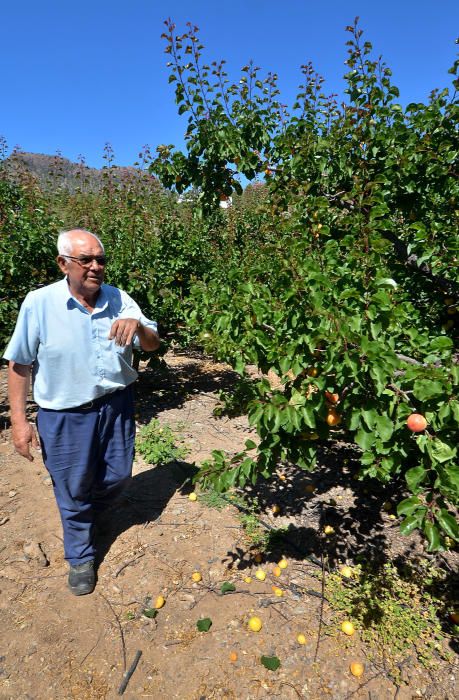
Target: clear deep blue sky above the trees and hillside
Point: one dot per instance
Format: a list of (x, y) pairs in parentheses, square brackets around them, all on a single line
[(75, 75)]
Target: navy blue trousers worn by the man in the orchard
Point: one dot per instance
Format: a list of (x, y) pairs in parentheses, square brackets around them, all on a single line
[(88, 453)]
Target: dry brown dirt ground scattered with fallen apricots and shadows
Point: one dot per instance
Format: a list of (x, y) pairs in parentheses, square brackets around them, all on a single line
[(57, 646)]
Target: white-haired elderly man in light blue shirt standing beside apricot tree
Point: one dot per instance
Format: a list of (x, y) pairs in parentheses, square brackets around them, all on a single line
[(76, 336)]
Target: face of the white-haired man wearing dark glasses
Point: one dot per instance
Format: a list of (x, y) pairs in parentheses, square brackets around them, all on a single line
[(83, 279)]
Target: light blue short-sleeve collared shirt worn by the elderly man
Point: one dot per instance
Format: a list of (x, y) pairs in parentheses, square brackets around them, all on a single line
[(73, 359)]
